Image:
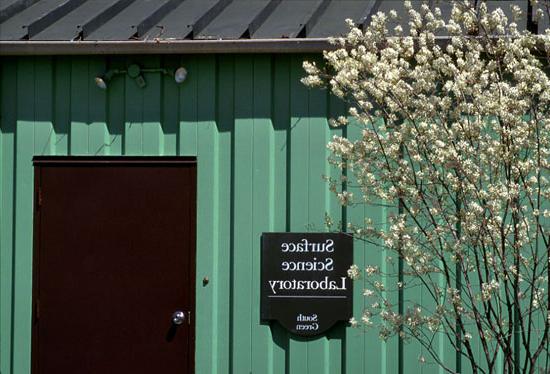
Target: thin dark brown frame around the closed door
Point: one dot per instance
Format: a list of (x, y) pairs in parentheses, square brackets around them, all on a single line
[(39, 162)]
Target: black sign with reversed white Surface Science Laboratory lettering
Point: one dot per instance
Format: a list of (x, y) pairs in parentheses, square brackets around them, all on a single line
[(304, 280)]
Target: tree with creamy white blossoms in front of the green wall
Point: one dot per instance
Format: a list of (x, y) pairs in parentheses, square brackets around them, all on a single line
[(456, 136)]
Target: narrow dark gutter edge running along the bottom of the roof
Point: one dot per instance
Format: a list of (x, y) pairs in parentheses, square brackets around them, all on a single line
[(86, 47)]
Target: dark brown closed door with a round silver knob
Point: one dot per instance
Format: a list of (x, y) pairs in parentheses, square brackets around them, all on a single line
[(114, 259)]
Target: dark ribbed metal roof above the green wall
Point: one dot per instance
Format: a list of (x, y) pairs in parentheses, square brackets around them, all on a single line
[(32, 25)]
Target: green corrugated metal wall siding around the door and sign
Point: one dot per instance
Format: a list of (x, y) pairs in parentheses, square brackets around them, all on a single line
[(259, 136)]
